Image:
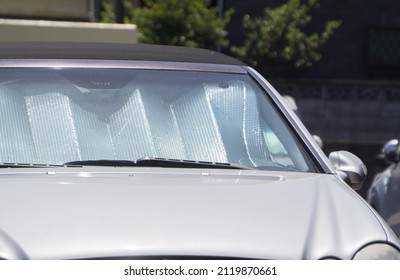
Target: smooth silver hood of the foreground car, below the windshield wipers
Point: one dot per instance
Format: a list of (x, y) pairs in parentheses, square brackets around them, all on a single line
[(70, 213)]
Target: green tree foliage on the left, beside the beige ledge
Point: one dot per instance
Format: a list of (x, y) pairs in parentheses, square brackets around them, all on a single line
[(191, 23)]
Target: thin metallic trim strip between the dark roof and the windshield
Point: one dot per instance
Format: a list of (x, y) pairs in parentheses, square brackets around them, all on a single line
[(120, 64)]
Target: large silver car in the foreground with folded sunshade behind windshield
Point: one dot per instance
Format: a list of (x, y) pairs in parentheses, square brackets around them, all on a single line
[(113, 151)]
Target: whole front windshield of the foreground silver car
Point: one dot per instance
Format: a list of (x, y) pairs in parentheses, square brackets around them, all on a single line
[(55, 116)]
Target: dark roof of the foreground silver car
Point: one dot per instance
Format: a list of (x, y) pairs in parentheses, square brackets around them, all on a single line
[(111, 51)]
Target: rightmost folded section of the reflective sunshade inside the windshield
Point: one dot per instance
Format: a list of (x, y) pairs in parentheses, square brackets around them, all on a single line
[(235, 109)]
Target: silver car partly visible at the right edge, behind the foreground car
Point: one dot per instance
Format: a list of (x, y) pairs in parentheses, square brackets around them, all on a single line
[(384, 192)]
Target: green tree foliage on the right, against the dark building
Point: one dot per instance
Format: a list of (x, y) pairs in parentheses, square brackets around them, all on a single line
[(277, 39)]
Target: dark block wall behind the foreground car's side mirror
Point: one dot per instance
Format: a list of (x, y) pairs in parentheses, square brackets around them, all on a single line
[(357, 116)]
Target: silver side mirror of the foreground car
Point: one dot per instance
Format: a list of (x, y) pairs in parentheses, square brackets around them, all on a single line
[(349, 167)]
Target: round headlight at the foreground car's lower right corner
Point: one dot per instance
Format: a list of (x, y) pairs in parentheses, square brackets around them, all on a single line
[(378, 251)]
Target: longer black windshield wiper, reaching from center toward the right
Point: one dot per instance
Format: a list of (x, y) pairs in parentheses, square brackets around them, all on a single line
[(157, 162)]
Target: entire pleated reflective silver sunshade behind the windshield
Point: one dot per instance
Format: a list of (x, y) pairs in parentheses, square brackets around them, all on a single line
[(198, 125)]
